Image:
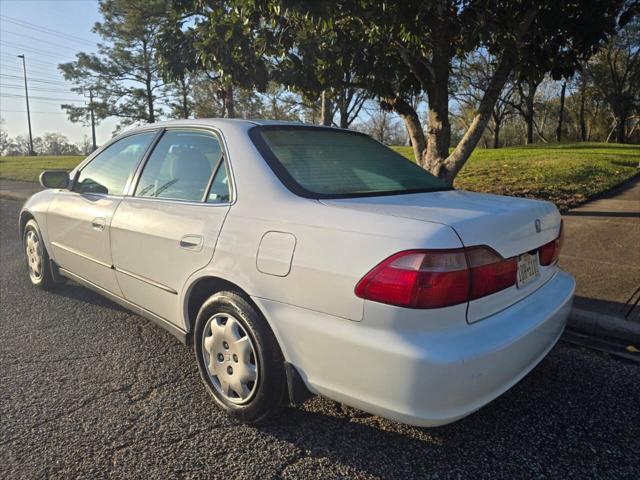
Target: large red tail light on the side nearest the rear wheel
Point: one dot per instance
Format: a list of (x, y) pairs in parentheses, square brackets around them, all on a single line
[(437, 278)]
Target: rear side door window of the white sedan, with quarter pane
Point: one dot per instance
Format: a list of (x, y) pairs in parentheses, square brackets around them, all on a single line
[(180, 166)]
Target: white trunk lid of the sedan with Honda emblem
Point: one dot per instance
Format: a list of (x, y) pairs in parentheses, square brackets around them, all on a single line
[(506, 224)]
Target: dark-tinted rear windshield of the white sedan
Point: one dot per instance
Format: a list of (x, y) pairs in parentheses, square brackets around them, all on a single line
[(317, 162)]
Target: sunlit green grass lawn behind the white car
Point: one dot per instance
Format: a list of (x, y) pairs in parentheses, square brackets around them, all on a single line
[(566, 174)]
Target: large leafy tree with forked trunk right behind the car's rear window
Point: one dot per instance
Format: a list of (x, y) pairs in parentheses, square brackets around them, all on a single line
[(415, 42)]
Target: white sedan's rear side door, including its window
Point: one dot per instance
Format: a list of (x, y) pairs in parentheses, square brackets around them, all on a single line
[(168, 228)]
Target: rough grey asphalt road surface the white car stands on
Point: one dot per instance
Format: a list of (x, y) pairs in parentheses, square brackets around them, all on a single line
[(88, 390)]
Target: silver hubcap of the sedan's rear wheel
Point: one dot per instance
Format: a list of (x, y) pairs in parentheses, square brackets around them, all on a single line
[(230, 358)]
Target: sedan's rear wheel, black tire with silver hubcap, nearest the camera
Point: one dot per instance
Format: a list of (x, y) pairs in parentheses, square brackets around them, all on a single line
[(239, 359)]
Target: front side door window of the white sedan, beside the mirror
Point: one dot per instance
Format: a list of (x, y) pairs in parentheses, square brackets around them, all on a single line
[(109, 171)]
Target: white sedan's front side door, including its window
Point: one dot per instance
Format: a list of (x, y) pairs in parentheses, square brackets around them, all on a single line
[(79, 220)]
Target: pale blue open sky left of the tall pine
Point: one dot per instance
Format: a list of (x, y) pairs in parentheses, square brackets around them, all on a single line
[(47, 32)]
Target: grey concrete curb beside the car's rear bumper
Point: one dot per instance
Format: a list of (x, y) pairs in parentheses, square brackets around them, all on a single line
[(604, 325)]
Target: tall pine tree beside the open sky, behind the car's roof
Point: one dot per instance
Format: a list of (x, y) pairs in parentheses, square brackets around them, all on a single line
[(124, 74)]
